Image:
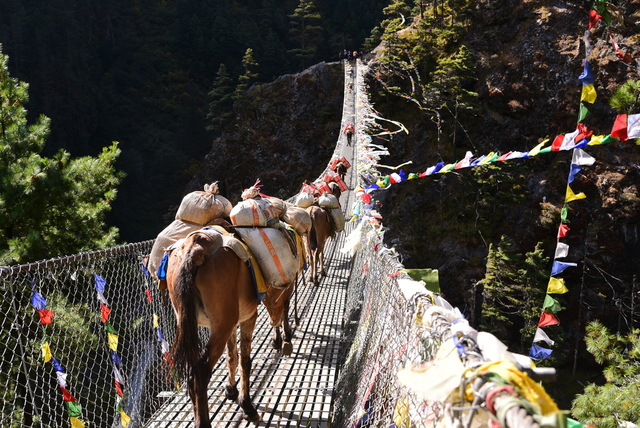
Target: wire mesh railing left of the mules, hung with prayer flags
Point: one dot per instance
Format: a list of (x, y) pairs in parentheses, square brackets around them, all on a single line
[(67, 370)]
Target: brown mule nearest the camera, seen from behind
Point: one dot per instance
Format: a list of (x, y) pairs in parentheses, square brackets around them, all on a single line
[(210, 285)]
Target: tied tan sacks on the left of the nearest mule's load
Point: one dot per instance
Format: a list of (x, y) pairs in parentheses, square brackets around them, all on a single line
[(196, 210)]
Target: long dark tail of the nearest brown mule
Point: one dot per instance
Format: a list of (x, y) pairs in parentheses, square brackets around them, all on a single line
[(185, 351)]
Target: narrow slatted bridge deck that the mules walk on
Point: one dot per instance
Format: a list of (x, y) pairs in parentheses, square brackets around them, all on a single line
[(293, 391)]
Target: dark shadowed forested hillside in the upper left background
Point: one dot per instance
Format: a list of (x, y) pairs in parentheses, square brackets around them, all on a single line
[(139, 72)]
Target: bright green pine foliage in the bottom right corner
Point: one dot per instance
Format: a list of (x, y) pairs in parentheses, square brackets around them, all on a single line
[(615, 403)]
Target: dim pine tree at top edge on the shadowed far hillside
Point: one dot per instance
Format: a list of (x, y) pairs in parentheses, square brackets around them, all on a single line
[(305, 31)]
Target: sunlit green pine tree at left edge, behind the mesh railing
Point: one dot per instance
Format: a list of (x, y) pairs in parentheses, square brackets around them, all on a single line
[(48, 206)]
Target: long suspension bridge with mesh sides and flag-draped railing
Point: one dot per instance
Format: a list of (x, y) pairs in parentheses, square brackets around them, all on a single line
[(366, 331)]
